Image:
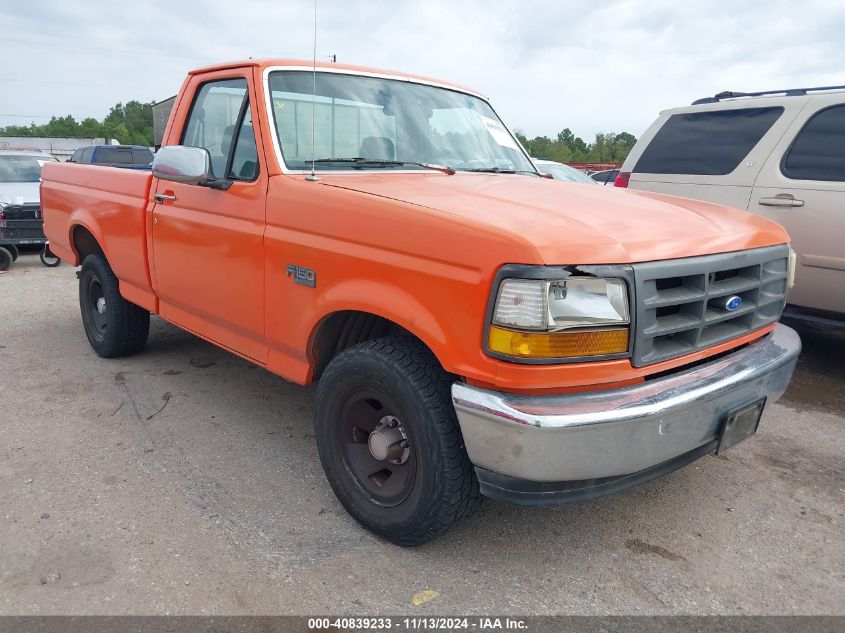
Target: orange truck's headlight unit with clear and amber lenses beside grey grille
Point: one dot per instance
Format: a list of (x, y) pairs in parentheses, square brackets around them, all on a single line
[(560, 318)]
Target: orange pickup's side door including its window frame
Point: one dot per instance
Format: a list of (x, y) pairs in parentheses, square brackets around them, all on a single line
[(208, 244)]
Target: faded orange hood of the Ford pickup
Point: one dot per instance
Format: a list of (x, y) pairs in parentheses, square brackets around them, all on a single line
[(573, 223)]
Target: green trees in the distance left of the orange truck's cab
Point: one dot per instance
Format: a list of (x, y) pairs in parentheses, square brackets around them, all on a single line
[(131, 124)]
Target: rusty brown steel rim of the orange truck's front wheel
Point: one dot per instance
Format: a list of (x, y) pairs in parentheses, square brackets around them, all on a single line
[(383, 481)]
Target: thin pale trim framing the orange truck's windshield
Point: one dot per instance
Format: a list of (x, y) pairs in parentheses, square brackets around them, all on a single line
[(268, 105)]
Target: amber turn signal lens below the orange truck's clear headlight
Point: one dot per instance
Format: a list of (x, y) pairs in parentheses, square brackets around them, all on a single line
[(573, 344)]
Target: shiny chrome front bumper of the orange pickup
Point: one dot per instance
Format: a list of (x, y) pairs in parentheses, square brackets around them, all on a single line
[(550, 449)]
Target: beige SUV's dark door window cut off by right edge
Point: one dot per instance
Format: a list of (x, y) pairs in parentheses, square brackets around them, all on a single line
[(818, 152)]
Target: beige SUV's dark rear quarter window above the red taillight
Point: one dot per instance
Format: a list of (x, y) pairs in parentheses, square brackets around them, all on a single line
[(706, 143)]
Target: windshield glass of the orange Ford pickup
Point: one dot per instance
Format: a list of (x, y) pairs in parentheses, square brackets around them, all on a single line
[(389, 120)]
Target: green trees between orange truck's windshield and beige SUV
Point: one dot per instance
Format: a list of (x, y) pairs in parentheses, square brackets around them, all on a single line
[(568, 148)]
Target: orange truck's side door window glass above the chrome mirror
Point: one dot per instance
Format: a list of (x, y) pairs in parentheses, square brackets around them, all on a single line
[(213, 120)]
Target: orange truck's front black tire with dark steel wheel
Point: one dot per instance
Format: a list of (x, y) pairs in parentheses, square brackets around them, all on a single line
[(401, 381)]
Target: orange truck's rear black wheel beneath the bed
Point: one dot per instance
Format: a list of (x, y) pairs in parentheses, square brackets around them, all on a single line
[(114, 326)]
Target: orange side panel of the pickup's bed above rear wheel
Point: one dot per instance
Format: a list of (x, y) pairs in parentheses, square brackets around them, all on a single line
[(110, 204)]
